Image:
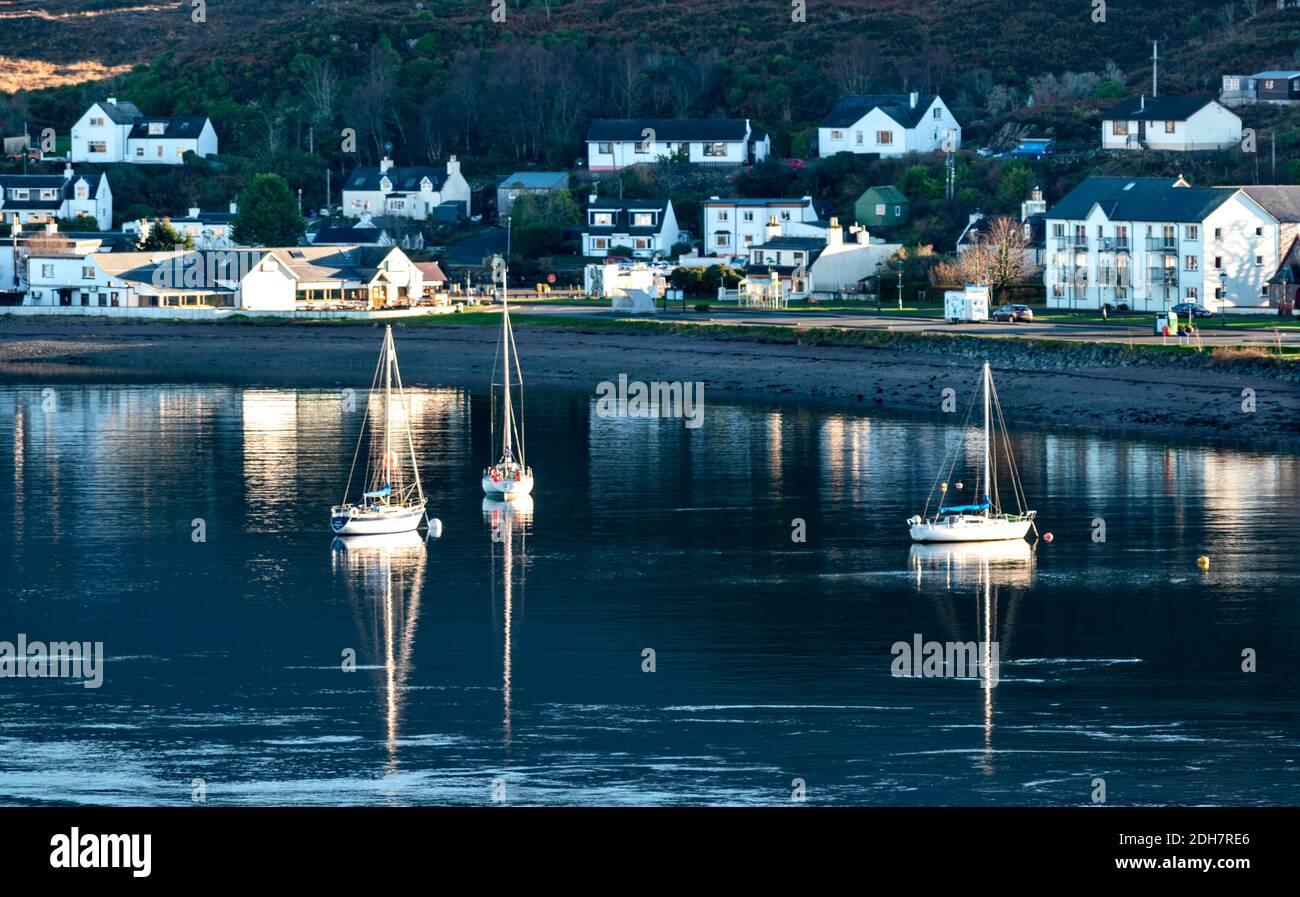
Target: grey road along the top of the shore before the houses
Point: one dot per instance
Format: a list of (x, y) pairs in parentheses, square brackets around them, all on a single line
[(1104, 333)]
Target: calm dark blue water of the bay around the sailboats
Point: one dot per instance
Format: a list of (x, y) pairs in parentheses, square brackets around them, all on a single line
[(512, 649)]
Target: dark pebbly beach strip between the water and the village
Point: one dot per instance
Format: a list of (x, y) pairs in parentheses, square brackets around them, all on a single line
[(1151, 402)]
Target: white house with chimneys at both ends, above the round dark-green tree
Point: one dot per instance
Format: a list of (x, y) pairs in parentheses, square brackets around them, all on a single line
[(421, 193)]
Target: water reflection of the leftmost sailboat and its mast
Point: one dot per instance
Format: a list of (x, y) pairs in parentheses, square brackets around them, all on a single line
[(384, 580)]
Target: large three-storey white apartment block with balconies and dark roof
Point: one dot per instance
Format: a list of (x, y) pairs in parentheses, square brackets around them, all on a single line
[(1150, 244)]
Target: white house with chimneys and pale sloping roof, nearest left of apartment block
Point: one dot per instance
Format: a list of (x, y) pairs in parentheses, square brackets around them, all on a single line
[(818, 265)]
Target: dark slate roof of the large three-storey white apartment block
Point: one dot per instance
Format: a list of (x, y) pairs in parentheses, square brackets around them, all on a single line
[(1141, 200)]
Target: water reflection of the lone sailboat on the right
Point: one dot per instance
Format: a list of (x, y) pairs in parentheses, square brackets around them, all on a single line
[(950, 574)]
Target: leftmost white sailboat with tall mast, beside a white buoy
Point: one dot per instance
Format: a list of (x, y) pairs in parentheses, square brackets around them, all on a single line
[(393, 502)]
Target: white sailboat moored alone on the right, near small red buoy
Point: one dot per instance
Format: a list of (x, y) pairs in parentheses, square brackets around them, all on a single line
[(982, 521)]
